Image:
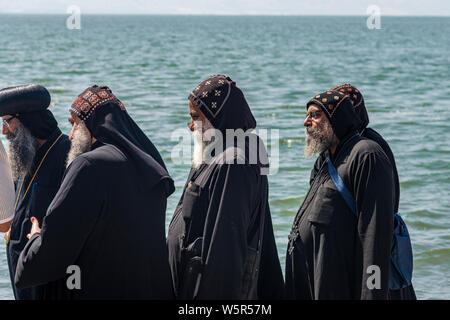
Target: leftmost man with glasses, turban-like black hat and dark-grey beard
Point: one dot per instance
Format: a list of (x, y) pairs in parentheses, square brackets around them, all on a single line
[(37, 154)]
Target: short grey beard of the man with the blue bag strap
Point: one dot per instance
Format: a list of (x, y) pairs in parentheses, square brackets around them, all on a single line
[(318, 140)]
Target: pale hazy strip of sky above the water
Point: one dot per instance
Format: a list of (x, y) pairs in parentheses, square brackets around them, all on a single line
[(282, 7)]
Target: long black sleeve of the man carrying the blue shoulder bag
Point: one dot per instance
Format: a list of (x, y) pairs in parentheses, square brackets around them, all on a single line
[(374, 190)]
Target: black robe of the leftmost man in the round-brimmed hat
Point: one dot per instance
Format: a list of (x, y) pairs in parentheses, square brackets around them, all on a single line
[(36, 202)]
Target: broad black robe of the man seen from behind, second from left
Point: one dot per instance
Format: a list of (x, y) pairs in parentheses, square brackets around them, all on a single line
[(107, 221)]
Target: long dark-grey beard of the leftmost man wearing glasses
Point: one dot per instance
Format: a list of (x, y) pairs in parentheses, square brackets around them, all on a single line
[(22, 147)]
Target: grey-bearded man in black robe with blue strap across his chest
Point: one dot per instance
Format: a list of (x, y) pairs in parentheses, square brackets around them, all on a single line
[(332, 252)]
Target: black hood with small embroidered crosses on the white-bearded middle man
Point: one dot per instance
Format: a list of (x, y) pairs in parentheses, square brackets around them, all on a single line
[(223, 104)]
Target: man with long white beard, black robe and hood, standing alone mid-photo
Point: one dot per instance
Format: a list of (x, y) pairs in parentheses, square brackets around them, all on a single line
[(221, 241)]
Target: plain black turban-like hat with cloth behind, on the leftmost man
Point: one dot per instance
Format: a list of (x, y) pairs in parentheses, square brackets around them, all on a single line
[(29, 103)]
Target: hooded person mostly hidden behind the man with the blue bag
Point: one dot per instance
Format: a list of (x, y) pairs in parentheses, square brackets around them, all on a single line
[(357, 100)]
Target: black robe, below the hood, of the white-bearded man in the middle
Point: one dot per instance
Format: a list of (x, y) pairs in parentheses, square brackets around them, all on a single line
[(213, 237)]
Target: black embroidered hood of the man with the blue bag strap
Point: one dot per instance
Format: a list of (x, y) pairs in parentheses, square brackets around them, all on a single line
[(339, 111)]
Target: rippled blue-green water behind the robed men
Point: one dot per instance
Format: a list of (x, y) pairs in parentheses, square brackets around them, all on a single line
[(153, 62)]
